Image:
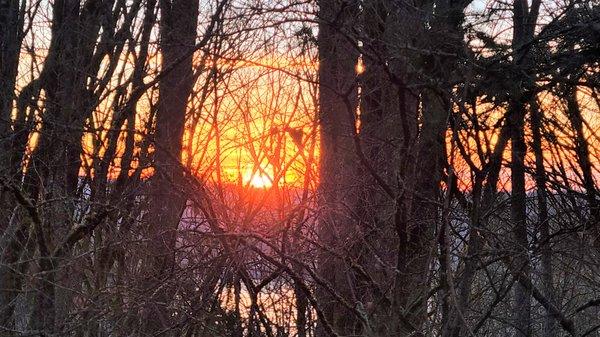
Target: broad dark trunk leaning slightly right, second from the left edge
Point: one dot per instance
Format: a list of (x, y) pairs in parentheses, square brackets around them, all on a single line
[(53, 170)]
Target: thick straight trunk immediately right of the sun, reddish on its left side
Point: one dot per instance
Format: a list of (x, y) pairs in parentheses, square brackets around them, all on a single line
[(337, 102)]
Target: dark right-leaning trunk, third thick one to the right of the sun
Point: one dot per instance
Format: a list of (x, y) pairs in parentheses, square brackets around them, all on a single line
[(426, 158)]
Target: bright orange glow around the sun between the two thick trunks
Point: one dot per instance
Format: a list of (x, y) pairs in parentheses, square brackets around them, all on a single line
[(259, 130)]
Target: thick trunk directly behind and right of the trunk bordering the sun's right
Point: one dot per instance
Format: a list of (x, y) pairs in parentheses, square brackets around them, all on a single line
[(388, 113)]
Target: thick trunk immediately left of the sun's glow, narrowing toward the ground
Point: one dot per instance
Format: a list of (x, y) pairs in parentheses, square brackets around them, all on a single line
[(178, 37)]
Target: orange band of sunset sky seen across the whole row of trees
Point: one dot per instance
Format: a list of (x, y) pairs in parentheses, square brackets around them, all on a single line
[(259, 127)]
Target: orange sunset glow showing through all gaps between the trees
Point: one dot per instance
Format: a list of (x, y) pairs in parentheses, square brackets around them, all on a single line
[(260, 129)]
